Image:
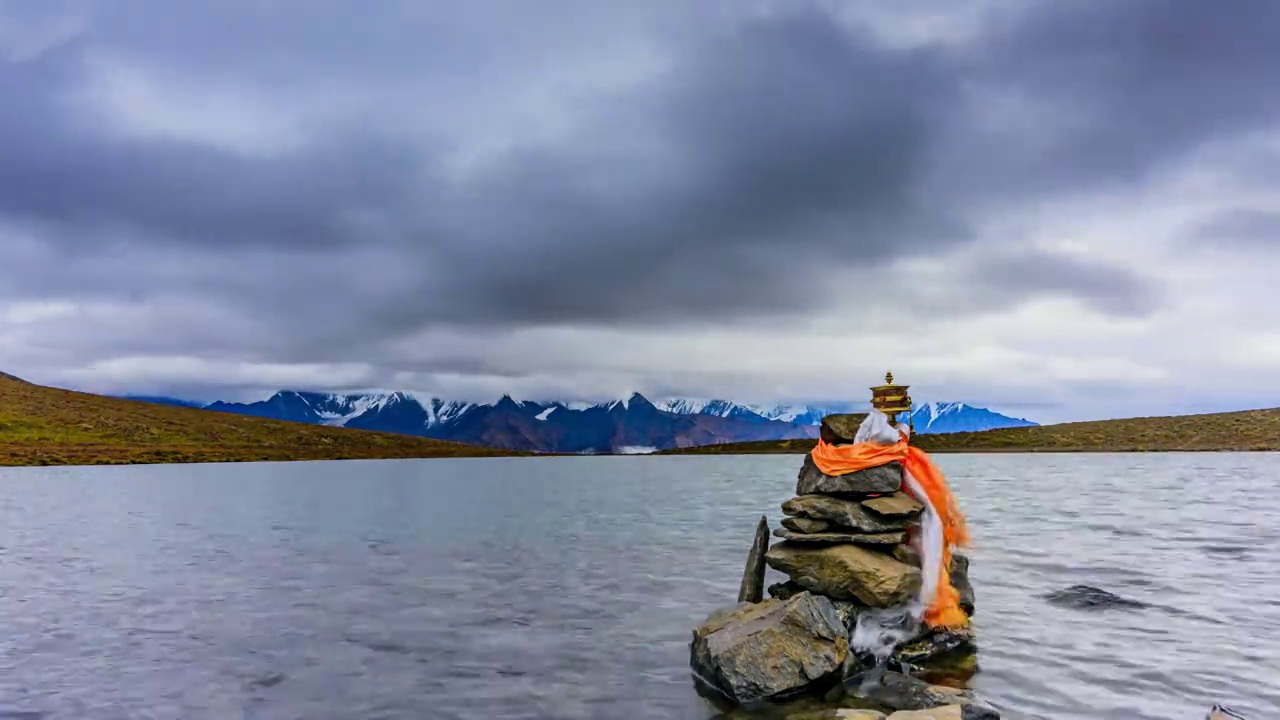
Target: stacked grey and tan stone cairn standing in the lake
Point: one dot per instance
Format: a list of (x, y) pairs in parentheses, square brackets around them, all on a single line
[(839, 635)]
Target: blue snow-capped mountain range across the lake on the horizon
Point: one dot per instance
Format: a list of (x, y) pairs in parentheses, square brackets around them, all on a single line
[(616, 426)]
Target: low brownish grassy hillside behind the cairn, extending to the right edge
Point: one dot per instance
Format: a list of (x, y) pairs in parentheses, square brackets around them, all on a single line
[(1249, 430)]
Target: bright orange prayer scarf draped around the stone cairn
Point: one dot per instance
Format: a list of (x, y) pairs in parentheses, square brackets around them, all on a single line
[(944, 612)]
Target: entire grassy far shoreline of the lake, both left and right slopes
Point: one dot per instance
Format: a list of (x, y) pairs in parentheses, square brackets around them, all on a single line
[(52, 427)]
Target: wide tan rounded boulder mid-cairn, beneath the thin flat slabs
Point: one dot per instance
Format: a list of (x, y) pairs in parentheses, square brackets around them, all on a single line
[(847, 572)]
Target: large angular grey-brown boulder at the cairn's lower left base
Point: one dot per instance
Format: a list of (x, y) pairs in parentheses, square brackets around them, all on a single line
[(770, 650)]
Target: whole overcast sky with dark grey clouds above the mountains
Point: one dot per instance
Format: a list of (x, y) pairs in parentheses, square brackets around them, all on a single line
[(1062, 211)]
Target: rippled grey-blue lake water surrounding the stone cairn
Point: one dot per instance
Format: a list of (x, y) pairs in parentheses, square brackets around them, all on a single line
[(520, 589)]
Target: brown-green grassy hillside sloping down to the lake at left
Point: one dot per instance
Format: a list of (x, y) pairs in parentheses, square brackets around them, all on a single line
[(43, 426)]
